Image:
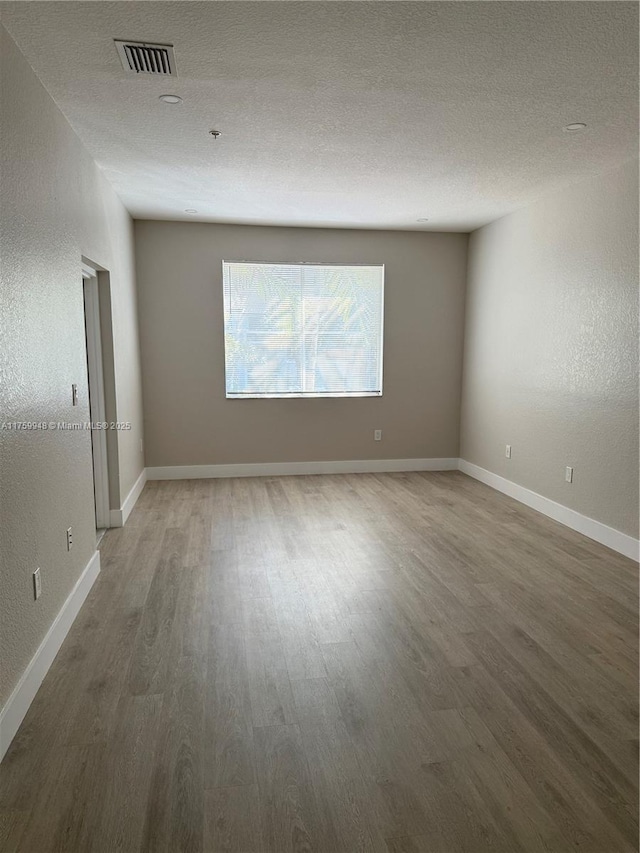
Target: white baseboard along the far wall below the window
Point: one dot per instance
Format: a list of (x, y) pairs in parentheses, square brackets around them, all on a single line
[(282, 469)]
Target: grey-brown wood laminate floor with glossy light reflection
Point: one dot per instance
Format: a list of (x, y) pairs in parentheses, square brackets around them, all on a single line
[(398, 663)]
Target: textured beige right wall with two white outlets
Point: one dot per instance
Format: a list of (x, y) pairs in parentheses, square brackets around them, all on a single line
[(551, 348)]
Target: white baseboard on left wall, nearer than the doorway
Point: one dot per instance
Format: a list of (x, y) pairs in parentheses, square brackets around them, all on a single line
[(24, 693)]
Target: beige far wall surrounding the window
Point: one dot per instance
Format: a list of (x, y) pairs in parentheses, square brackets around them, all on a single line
[(188, 421)]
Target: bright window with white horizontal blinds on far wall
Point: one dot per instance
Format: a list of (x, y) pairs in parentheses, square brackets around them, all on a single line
[(302, 330)]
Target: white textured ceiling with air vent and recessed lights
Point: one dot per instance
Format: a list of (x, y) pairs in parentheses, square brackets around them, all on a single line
[(348, 114)]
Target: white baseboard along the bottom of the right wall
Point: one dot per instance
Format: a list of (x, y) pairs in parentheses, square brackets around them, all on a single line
[(609, 536)]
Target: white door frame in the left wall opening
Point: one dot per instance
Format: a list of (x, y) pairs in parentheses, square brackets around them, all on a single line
[(97, 407)]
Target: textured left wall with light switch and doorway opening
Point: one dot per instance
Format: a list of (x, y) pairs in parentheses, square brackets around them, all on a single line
[(55, 208)]
